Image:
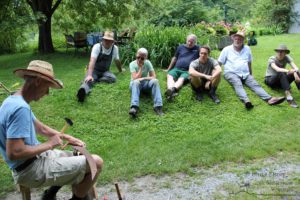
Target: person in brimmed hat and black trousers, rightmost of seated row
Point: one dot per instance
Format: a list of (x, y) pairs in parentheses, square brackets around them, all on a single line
[(279, 77)]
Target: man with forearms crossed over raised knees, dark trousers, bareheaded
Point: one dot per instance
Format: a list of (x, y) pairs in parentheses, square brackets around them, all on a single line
[(205, 74)]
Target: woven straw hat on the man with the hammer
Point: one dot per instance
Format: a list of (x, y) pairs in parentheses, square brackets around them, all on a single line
[(41, 69)]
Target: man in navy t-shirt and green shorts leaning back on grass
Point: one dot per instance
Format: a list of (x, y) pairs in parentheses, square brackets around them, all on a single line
[(178, 69)]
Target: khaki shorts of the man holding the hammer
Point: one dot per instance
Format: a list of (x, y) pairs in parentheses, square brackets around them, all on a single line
[(53, 167)]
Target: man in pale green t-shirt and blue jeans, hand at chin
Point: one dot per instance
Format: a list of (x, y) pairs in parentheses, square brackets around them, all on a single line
[(143, 79)]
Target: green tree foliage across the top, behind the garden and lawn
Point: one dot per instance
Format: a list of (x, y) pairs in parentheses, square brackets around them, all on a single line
[(18, 24)]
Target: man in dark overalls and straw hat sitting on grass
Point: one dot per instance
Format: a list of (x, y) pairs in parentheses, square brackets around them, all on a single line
[(98, 70)]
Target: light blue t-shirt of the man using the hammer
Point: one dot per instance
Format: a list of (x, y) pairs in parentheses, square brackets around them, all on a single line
[(16, 121)]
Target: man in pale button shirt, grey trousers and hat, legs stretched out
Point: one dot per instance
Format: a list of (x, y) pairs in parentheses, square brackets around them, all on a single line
[(237, 61)]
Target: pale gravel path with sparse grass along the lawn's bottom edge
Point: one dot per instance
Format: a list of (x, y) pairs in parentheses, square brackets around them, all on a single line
[(272, 178)]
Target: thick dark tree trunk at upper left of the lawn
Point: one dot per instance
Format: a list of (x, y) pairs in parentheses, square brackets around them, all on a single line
[(45, 38)]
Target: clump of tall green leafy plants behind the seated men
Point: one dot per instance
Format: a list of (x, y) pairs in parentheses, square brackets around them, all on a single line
[(161, 43)]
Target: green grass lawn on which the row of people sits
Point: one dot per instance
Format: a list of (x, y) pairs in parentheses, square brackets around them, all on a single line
[(191, 134)]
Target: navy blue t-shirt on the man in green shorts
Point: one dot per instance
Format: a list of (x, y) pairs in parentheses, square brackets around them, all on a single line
[(184, 56)]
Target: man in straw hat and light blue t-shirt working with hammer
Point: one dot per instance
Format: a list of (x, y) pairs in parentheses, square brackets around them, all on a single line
[(36, 164)]
